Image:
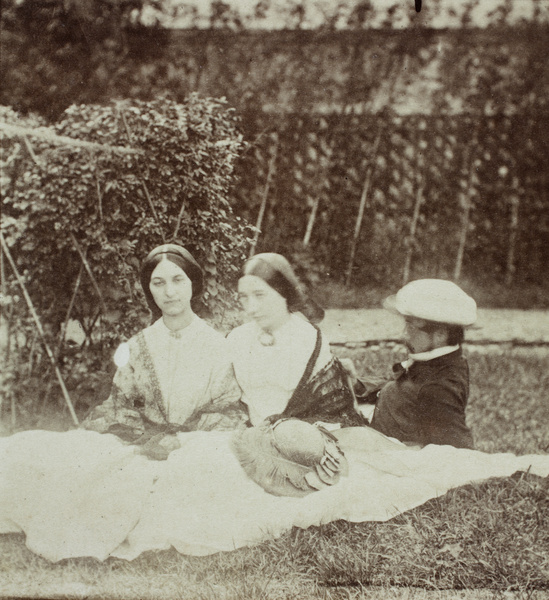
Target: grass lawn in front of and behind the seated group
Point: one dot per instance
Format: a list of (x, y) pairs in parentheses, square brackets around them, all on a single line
[(488, 540)]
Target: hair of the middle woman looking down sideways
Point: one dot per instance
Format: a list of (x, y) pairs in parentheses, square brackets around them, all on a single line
[(277, 272)]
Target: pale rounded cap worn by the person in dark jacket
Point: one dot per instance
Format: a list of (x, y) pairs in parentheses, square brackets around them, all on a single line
[(436, 300)]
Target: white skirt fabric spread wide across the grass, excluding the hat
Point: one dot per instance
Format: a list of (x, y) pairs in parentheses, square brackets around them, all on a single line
[(85, 494)]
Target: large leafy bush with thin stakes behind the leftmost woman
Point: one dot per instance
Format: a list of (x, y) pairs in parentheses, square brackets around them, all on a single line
[(79, 219)]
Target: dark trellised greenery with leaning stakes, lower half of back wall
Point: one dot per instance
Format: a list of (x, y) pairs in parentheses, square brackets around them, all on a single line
[(436, 157)]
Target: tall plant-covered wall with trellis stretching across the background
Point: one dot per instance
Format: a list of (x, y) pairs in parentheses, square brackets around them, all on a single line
[(442, 133)]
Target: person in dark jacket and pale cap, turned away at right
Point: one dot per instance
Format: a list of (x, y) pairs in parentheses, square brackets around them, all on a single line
[(425, 403)]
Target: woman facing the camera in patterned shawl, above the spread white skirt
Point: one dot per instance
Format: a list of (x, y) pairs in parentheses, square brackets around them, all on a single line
[(175, 375)]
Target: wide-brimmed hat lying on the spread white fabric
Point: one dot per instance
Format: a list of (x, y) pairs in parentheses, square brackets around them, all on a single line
[(290, 457)]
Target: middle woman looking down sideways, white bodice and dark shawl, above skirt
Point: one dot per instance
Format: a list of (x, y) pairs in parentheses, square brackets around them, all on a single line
[(282, 364)]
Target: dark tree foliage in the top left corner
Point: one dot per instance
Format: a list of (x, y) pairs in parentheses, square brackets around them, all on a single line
[(56, 53)]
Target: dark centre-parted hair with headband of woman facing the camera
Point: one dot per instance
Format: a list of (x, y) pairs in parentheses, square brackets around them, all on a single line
[(180, 257)]
